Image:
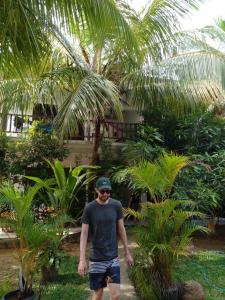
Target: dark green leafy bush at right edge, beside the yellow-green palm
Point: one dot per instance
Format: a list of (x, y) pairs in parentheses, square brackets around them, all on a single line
[(203, 182)]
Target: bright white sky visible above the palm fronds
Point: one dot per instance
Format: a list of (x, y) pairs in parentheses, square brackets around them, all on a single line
[(209, 11)]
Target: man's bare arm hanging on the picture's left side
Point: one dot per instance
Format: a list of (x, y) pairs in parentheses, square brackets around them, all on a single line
[(82, 267)]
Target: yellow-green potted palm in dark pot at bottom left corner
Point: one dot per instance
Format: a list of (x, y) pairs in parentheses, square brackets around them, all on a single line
[(32, 236)]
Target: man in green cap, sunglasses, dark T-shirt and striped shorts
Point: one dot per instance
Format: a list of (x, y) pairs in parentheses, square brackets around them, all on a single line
[(103, 221)]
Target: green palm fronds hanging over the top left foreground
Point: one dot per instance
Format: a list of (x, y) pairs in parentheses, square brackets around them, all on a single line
[(25, 25)]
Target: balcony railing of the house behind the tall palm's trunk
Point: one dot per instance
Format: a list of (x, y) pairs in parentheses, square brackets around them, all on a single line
[(15, 124)]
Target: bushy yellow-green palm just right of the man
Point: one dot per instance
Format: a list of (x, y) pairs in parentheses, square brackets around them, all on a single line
[(166, 224)]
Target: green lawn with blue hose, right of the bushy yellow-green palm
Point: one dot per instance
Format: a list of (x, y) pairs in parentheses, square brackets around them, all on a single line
[(206, 267)]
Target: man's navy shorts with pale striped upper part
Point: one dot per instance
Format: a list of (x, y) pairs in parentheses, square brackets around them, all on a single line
[(103, 272)]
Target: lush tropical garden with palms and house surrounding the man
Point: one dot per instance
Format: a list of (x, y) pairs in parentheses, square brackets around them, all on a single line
[(90, 65)]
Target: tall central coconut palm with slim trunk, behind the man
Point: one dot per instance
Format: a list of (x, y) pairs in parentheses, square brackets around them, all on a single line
[(86, 80)]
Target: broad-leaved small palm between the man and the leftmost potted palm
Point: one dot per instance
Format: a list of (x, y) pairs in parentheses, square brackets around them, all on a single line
[(62, 190)]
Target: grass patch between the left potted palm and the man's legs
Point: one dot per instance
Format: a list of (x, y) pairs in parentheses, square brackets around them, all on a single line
[(69, 285)]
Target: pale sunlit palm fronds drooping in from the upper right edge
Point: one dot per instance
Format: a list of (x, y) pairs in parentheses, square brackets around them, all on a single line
[(189, 77)]
